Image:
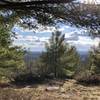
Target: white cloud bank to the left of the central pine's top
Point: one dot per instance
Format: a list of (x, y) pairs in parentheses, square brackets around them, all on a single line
[(30, 41)]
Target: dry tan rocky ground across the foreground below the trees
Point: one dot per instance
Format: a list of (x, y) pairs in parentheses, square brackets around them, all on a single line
[(53, 90)]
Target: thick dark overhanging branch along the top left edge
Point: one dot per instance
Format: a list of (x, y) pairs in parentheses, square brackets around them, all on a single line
[(28, 4)]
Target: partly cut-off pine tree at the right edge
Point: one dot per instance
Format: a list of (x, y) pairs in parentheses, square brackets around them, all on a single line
[(91, 72)]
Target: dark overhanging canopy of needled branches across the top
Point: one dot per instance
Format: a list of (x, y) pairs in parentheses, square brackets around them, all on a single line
[(48, 12)]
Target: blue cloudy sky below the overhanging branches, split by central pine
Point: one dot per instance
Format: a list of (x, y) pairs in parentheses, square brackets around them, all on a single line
[(36, 41)]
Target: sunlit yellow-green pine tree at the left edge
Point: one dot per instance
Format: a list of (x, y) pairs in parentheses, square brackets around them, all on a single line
[(11, 57)]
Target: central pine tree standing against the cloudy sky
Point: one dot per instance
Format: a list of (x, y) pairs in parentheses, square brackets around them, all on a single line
[(60, 58)]
